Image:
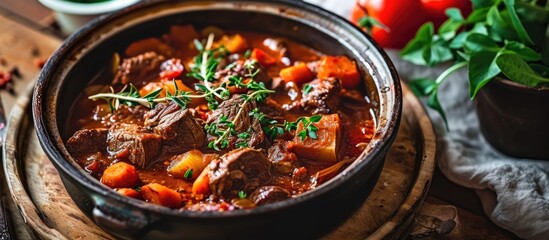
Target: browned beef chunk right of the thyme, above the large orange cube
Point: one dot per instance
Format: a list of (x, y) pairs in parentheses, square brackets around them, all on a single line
[(322, 99)]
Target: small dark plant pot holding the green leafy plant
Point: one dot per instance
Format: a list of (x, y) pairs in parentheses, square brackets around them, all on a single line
[(515, 118)]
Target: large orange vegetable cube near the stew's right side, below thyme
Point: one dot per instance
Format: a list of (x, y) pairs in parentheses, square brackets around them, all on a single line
[(325, 147)]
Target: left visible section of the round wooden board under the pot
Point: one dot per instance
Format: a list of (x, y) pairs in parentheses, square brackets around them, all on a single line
[(35, 185)]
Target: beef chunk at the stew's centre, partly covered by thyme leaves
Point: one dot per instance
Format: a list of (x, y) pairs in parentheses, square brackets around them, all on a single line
[(245, 123)]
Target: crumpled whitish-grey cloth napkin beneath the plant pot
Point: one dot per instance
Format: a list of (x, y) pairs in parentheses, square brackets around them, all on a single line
[(514, 192)]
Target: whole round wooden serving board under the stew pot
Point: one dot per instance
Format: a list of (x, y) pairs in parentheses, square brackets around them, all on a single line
[(388, 212)]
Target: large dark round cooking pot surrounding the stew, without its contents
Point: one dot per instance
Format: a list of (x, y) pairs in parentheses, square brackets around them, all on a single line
[(86, 53)]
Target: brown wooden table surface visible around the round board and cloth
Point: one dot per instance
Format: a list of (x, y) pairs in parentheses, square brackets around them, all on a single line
[(30, 17)]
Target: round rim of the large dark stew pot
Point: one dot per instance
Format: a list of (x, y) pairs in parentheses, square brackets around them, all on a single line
[(54, 149)]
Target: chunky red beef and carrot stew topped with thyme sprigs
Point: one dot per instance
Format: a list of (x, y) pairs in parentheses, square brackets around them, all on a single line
[(215, 120)]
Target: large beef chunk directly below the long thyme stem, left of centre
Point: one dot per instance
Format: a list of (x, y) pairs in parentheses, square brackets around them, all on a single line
[(178, 128)]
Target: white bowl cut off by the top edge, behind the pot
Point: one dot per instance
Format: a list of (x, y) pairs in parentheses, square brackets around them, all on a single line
[(72, 15)]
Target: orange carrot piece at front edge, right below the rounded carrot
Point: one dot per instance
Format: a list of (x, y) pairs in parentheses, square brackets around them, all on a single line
[(162, 195)]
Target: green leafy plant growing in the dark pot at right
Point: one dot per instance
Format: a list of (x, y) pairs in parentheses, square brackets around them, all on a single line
[(504, 38)]
